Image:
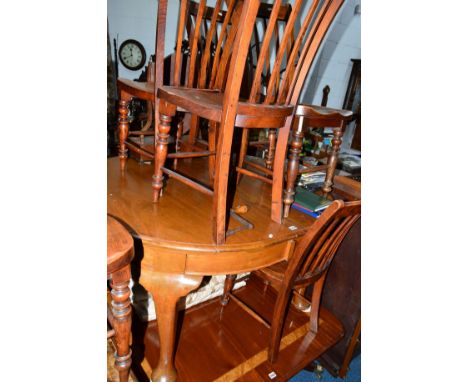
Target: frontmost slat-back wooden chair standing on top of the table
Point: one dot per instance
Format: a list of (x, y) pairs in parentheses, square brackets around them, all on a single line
[(224, 108)]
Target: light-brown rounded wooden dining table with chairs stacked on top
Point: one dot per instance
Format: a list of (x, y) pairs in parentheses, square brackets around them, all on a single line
[(177, 247)]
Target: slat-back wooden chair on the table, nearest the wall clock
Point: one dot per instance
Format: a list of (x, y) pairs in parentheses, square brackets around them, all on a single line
[(202, 53)]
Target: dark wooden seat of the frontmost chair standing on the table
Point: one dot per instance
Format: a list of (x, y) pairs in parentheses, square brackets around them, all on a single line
[(209, 104)]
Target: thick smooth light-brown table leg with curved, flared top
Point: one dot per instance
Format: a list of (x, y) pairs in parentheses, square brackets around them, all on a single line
[(167, 289)]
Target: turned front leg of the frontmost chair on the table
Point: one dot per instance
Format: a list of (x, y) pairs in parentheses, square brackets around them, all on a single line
[(160, 155)]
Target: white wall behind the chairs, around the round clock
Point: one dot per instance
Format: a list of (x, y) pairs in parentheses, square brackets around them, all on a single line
[(137, 19)]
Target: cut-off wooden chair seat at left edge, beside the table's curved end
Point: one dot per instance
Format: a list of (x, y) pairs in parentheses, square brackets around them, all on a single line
[(119, 246)]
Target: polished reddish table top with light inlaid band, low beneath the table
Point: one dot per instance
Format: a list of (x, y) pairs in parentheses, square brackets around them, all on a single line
[(227, 344)]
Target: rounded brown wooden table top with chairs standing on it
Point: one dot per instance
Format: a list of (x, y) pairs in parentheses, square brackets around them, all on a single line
[(182, 217)]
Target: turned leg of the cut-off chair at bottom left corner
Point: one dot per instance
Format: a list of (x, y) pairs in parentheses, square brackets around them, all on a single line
[(122, 321)]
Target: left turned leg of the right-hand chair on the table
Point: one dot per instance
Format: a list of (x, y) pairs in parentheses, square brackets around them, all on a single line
[(293, 165)]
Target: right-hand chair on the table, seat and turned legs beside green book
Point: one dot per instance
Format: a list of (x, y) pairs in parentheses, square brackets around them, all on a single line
[(315, 117)]
